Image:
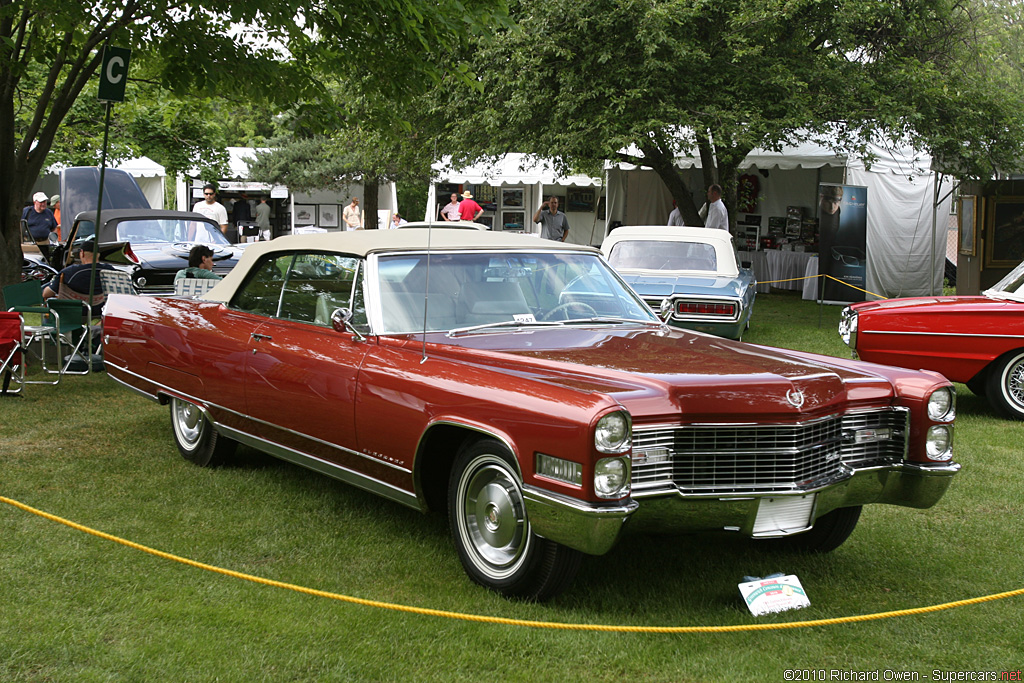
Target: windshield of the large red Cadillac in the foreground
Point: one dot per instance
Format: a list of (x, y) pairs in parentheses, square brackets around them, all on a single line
[(472, 289)]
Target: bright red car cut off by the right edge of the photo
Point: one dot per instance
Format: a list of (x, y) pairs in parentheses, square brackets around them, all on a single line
[(977, 340)]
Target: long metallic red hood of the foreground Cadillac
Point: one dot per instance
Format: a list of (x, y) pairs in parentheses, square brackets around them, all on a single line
[(660, 374)]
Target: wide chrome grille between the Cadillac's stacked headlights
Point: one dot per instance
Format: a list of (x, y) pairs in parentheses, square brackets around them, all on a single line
[(718, 459)]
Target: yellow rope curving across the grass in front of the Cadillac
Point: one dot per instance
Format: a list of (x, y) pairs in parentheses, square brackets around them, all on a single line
[(515, 622)]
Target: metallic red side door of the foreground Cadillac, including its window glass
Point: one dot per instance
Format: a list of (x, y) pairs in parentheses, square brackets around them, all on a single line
[(302, 374)]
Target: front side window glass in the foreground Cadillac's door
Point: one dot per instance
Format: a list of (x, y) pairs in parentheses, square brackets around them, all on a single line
[(316, 285)]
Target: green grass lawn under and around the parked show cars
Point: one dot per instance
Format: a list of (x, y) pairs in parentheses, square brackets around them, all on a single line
[(80, 609)]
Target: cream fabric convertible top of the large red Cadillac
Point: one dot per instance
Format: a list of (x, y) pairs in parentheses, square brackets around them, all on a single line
[(362, 243)]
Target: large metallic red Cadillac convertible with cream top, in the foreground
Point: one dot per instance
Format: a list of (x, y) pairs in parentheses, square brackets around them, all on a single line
[(522, 388)]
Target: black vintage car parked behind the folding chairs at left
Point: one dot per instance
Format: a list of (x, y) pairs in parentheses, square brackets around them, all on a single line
[(153, 245)]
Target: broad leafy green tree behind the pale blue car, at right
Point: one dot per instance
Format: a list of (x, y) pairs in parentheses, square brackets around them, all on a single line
[(585, 81)]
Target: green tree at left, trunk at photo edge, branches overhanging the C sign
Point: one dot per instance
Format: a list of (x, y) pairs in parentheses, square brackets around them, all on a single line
[(51, 51)]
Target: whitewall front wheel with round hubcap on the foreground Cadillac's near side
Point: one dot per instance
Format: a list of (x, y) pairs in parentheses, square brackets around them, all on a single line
[(492, 533)]
